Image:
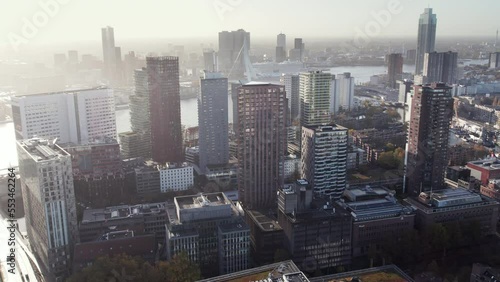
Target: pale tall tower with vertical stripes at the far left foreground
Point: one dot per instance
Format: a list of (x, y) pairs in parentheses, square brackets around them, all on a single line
[(49, 204)]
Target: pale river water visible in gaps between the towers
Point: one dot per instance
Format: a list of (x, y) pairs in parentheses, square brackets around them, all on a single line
[(189, 110)]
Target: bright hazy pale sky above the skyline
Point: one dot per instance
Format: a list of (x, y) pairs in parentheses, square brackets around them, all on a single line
[(79, 20)]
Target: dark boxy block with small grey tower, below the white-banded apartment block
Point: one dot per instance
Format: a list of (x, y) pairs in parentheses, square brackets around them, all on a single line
[(314, 230)]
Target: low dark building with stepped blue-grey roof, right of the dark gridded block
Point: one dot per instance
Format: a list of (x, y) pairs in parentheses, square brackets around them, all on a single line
[(377, 217)]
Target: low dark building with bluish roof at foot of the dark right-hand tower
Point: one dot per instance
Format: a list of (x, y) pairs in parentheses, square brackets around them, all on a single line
[(455, 205)]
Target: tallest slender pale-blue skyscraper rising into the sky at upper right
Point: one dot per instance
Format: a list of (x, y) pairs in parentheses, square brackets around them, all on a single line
[(426, 37)]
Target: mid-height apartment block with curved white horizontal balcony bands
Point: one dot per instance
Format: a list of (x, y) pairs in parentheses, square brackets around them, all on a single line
[(324, 158)]
